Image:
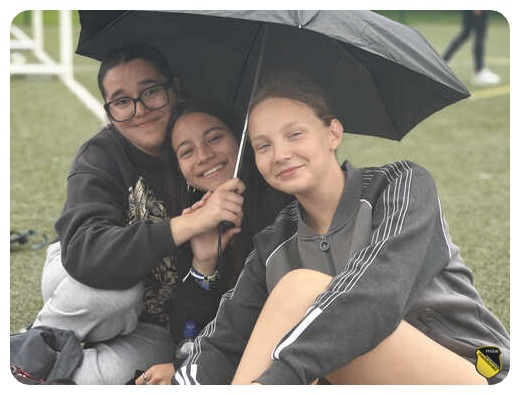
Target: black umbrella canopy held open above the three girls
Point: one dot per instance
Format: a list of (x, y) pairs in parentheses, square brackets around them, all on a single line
[(381, 77)]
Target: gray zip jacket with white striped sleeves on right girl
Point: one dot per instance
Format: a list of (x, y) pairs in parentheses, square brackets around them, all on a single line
[(391, 258)]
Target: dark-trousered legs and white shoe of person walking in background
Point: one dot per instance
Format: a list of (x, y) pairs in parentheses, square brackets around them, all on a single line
[(476, 20)]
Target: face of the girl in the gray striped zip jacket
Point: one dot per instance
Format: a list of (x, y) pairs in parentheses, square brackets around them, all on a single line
[(294, 149)]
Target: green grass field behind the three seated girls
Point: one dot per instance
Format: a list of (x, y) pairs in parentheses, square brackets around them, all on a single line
[(466, 147)]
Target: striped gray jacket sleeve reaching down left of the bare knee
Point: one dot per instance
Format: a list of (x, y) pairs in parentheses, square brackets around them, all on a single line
[(219, 347)]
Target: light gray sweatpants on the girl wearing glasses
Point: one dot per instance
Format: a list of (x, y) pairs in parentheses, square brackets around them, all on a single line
[(108, 319)]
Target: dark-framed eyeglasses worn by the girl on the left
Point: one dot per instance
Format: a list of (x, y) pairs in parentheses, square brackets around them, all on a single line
[(124, 108)]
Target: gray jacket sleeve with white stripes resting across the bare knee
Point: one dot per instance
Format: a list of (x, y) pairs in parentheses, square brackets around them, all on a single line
[(366, 302)]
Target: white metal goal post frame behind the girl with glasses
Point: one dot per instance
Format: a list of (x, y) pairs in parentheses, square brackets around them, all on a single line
[(63, 69)]
